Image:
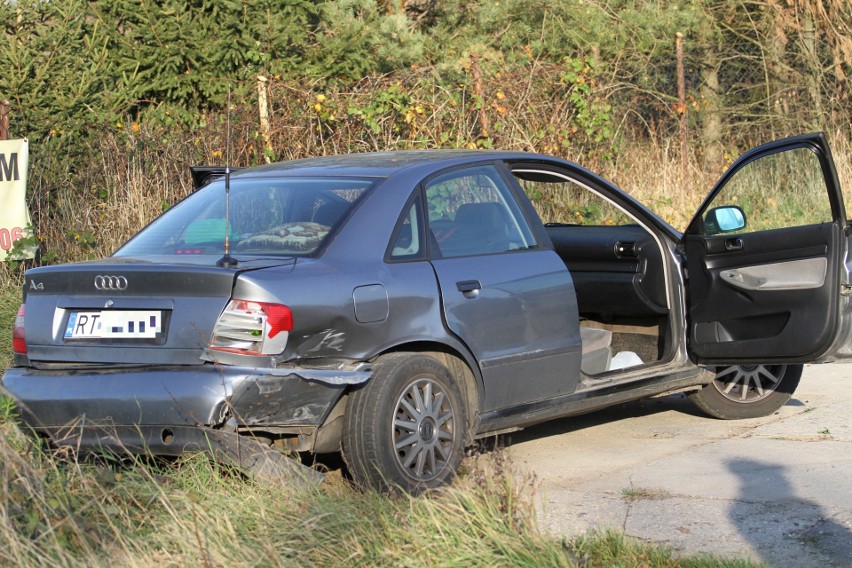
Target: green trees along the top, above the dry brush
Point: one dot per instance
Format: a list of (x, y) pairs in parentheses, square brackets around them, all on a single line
[(76, 62)]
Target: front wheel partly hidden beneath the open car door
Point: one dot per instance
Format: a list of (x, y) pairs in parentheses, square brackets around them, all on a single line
[(747, 391)]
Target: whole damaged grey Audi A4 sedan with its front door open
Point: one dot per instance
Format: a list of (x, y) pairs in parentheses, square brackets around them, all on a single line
[(396, 306)]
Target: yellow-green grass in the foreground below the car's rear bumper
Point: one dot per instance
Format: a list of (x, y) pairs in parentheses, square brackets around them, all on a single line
[(55, 511)]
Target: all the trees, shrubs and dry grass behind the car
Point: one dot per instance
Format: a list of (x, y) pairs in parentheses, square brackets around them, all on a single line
[(120, 98)]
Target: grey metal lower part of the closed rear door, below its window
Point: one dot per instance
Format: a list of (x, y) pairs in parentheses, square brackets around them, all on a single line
[(520, 320)]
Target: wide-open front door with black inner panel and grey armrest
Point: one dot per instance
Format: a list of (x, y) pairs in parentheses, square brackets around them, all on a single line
[(768, 295)]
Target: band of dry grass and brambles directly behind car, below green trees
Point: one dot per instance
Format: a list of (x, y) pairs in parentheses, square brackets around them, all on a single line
[(129, 174)]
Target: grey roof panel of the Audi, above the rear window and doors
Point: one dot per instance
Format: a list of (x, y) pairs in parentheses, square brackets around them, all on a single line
[(380, 164)]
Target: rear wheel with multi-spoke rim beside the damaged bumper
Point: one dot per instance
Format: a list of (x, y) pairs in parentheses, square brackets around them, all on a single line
[(404, 429)]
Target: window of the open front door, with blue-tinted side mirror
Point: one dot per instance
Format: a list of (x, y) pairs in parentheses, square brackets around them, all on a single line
[(785, 189)]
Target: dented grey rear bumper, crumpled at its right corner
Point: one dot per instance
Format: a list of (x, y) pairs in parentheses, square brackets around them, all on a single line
[(172, 410)]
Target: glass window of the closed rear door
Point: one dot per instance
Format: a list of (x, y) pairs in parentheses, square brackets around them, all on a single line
[(472, 211)]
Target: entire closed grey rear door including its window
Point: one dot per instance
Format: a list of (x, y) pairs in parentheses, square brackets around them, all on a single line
[(505, 295)]
